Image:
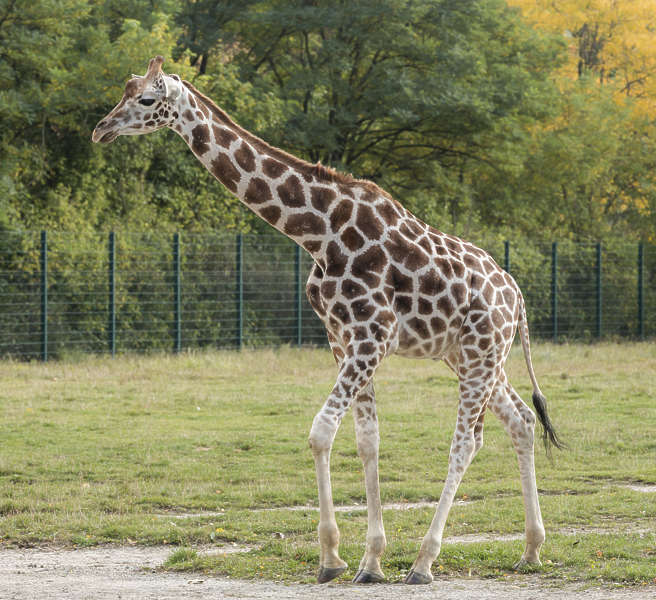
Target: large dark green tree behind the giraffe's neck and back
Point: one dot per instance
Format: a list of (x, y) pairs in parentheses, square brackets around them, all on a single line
[(392, 90)]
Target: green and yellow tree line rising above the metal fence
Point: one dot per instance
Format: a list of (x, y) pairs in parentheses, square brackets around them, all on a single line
[(487, 120)]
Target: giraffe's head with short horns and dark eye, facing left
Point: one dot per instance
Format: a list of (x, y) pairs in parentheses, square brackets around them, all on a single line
[(148, 104)]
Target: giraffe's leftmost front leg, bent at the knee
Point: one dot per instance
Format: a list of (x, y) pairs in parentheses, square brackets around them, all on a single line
[(350, 383)]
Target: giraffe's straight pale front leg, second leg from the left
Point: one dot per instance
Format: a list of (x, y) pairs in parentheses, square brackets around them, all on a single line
[(366, 431)]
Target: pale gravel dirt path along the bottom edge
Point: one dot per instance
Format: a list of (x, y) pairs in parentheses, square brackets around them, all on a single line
[(129, 573)]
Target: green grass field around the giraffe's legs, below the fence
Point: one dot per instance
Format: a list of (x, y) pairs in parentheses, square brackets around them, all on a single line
[(112, 451)]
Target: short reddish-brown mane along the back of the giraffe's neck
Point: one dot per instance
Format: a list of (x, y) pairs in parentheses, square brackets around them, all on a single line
[(321, 172)]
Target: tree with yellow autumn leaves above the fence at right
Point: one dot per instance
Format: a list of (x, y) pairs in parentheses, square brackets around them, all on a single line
[(602, 143)]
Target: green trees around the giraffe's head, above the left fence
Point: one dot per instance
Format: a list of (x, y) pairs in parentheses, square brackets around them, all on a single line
[(63, 65)]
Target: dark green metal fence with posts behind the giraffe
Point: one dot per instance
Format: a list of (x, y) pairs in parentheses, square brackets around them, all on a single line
[(64, 293)]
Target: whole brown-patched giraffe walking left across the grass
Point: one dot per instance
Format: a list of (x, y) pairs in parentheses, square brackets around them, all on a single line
[(382, 282)]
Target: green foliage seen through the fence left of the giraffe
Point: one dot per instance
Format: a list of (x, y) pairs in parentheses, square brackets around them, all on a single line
[(78, 291)]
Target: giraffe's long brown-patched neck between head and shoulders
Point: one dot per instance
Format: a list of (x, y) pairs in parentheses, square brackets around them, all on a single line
[(290, 194)]
